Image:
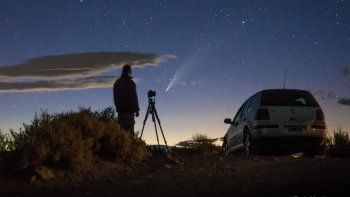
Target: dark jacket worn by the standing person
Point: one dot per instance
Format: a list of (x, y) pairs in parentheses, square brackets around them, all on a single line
[(125, 96)]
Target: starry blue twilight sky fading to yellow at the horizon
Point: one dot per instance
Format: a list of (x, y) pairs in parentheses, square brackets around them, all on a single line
[(219, 54)]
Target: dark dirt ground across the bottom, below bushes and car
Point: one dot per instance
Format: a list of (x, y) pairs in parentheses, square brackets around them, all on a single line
[(194, 175)]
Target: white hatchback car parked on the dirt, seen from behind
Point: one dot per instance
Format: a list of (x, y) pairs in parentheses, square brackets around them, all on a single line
[(282, 120)]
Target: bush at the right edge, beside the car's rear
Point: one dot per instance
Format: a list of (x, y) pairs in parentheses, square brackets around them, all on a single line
[(340, 144)]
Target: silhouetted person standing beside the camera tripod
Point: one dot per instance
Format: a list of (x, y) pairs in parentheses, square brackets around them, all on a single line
[(125, 100)]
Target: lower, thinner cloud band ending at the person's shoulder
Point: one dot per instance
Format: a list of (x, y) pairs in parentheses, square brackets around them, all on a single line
[(67, 84)]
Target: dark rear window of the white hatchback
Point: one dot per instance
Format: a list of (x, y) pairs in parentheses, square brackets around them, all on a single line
[(288, 98)]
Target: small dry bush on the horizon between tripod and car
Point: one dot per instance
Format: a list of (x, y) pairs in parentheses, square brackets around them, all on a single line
[(203, 144)]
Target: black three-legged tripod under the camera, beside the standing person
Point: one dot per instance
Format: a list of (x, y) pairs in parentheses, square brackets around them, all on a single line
[(151, 109)]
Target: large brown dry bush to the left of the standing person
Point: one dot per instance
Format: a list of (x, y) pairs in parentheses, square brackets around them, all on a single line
[(72, 140)]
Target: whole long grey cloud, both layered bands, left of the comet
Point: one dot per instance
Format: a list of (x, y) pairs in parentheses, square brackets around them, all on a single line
[(71, 71)]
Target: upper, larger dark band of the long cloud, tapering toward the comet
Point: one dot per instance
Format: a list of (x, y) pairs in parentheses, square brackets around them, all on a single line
[(77, 65)]
